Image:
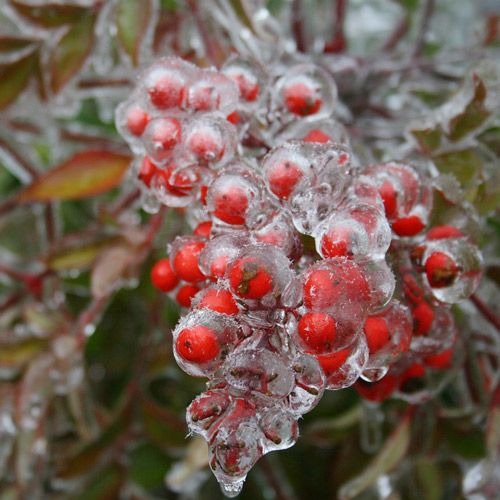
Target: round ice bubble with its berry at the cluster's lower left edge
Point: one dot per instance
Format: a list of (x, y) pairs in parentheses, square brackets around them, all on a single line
[(203, 332)]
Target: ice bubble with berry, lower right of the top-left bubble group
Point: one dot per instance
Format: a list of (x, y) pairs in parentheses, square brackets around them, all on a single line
[(209, 140)]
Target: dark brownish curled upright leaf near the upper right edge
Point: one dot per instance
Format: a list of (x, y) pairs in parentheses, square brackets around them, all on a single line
[(474, 114)]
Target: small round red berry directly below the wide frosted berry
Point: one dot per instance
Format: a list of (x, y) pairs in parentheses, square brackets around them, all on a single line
[(318, 331)]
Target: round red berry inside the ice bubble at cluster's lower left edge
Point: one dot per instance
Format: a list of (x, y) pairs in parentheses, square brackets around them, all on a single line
[(197, 344)]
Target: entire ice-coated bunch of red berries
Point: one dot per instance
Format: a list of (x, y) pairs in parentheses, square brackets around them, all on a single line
[(304, 272)]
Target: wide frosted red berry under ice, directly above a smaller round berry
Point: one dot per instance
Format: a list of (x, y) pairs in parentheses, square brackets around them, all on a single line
[(323, 288)]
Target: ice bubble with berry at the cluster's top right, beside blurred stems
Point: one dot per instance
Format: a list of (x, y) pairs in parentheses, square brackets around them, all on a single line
[(305, 90)]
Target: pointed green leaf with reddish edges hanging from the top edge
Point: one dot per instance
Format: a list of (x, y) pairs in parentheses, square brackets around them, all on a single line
[(132, 20)]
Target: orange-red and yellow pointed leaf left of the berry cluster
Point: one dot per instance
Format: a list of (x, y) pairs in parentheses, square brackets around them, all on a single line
[(86, 174)]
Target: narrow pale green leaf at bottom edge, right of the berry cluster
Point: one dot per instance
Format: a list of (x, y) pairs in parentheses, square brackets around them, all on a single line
[(389, 456)]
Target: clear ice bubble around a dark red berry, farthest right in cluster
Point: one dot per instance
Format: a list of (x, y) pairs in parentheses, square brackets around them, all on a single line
[(460, 277)]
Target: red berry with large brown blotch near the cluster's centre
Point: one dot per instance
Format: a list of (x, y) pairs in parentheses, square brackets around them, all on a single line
[(249, 279)]
